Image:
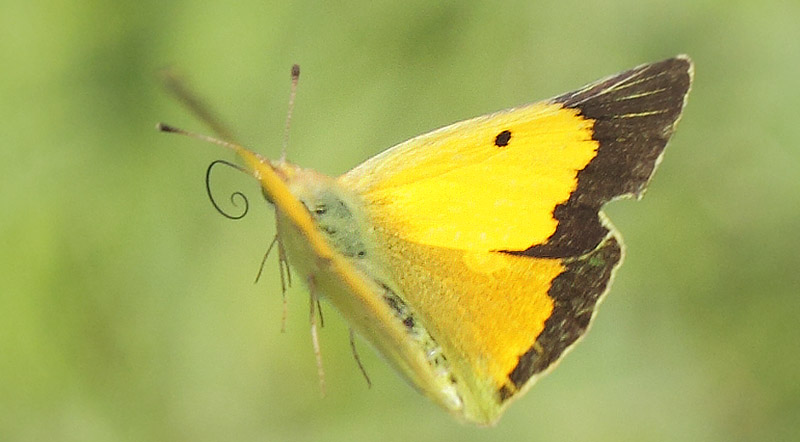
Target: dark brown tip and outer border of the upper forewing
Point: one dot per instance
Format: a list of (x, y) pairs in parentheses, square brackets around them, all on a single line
[(634, 115)]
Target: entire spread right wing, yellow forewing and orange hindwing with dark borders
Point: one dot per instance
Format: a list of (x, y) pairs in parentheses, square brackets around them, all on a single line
[(491, 228)]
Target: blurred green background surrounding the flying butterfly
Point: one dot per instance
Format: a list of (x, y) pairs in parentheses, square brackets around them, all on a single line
[(127, 305)]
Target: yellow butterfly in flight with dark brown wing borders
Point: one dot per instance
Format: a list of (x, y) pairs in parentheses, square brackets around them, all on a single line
[(474, 257)]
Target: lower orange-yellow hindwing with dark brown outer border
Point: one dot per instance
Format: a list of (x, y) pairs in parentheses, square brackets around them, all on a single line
[(501, 320)]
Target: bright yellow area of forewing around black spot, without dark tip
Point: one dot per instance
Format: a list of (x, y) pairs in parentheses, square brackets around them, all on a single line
[(487, 183)]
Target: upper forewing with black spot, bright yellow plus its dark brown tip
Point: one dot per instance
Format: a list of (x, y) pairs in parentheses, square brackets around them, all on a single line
[(494, 182)]
